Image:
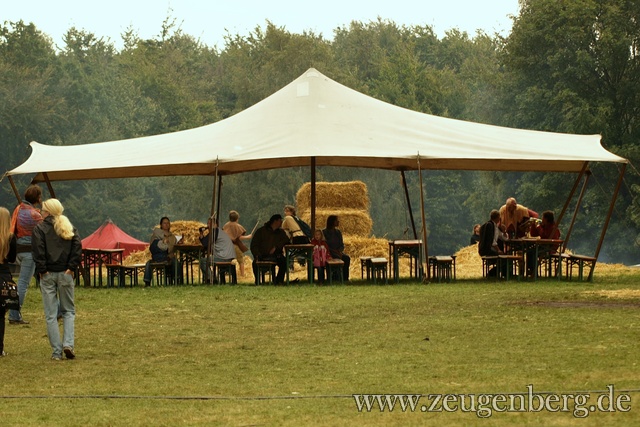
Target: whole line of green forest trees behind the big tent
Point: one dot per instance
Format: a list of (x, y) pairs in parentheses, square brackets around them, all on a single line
[(565, 67)]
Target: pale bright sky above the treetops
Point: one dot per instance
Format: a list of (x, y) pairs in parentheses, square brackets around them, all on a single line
[(210, 20)]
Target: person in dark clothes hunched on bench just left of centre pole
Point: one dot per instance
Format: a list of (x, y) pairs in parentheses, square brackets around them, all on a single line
[(268, 245)]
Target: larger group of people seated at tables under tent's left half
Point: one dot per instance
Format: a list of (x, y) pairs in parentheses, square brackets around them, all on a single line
[(267, 244)]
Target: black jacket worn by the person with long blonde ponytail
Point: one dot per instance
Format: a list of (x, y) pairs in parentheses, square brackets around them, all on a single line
[(51, 252)]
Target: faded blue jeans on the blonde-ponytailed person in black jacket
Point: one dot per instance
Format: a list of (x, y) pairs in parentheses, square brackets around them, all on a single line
[(57, 292)]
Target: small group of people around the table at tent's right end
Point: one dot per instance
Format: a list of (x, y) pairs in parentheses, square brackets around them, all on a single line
[(515, 221)]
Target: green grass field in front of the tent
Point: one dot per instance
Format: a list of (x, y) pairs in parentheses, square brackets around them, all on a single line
[(245, 355)]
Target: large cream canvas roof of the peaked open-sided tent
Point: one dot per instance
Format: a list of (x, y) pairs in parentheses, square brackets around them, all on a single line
[(314, 116)]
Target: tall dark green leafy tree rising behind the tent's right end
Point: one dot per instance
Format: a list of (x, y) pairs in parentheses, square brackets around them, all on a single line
[(574, 67)]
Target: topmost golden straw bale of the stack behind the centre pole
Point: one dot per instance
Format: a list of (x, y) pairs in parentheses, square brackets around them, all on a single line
[(334, 195)]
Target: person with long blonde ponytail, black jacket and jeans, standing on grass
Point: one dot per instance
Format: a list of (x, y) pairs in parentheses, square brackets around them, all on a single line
[(57, 251)]
